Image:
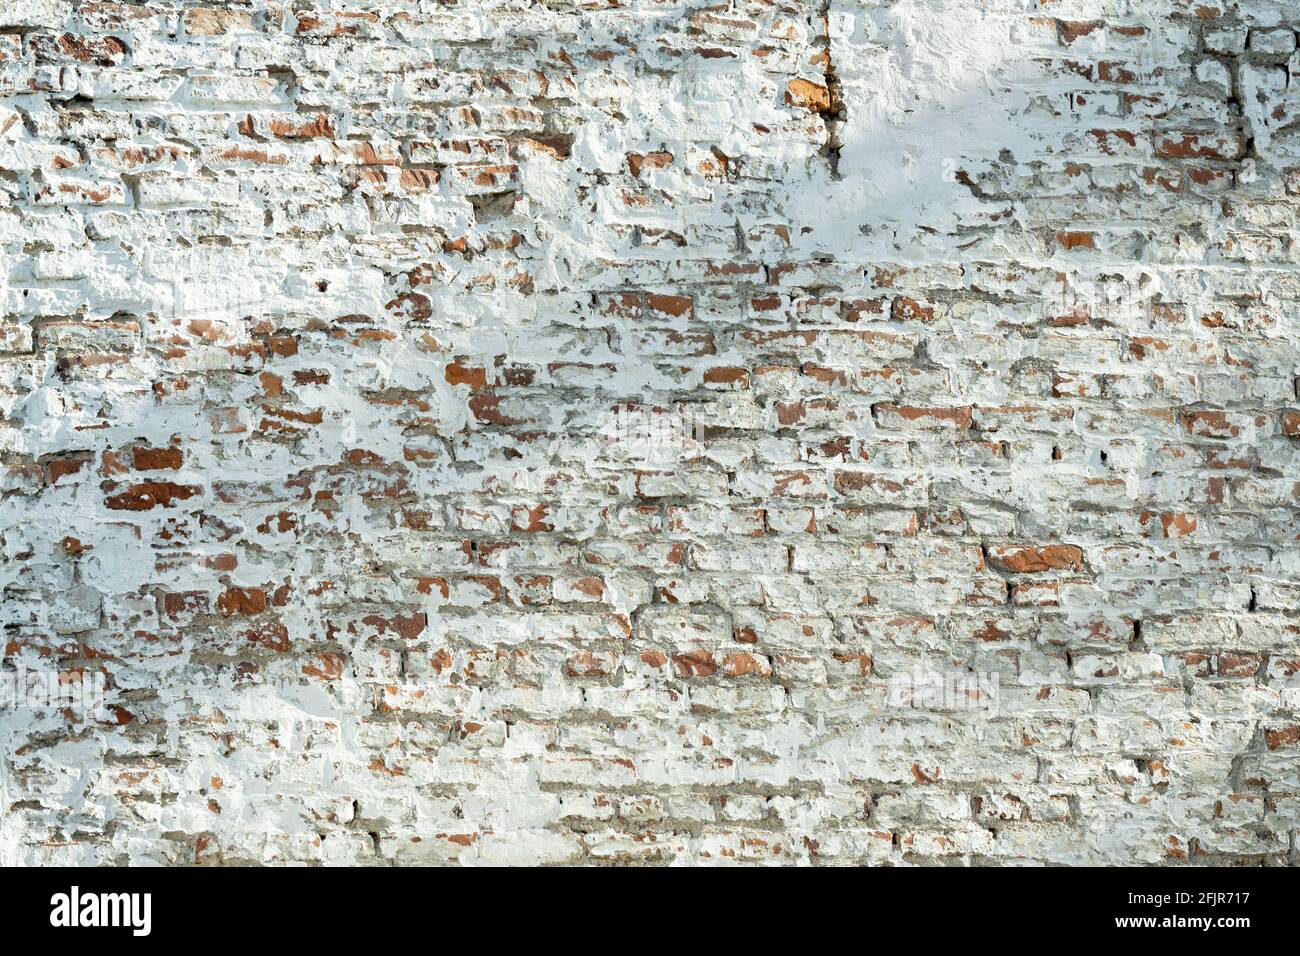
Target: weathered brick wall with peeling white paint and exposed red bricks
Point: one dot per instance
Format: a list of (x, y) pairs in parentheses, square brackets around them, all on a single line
[(512, 432)]
